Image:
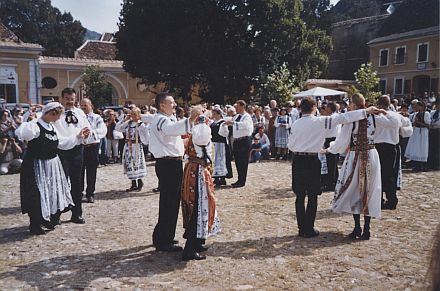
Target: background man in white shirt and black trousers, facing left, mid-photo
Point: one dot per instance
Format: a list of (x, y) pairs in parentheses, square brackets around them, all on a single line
[(242, 129)]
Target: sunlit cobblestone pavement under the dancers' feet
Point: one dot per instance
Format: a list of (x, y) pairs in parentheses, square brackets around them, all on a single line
[(258, 247)]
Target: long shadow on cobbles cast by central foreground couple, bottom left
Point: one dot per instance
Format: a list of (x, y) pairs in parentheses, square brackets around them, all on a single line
[(78, 271)]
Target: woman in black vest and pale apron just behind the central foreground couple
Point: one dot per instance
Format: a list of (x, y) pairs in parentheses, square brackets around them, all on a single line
[(222, 153)]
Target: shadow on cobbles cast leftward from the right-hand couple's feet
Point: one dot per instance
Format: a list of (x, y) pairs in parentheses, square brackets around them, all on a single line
[(269, 247)]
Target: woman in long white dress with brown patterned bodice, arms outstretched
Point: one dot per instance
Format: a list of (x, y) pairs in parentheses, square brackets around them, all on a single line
[(358, 190)]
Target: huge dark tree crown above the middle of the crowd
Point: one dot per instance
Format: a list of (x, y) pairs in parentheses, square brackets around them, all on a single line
[(225, 46)]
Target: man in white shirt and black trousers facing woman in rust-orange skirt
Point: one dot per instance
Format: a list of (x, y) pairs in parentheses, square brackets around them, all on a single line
[(167, 147)]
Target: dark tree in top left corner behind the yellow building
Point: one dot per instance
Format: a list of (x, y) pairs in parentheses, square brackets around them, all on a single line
[(37, 21)]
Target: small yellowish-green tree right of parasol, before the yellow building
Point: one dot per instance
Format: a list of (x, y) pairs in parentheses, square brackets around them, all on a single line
[(368, 81)]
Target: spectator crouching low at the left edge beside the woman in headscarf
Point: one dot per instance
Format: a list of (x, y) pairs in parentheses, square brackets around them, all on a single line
[(10, 162)]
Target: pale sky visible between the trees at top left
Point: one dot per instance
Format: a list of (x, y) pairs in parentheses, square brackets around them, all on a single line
[(98, 15)]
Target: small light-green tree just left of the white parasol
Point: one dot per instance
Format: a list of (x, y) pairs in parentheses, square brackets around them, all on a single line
[(280, 85)]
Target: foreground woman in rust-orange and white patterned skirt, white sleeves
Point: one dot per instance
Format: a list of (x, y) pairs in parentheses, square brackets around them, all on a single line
[(198, 202)]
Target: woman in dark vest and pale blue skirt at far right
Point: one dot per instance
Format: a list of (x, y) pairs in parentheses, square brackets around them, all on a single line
[(418, 144)]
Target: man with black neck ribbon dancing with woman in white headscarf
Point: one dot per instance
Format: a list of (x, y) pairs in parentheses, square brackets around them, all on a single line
[(72, 122)]
